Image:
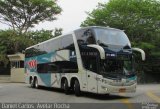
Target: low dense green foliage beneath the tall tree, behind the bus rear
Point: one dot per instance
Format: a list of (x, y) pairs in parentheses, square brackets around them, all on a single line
[(13, 42)]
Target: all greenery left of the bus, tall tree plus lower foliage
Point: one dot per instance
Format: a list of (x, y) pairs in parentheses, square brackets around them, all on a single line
[(21, 16)]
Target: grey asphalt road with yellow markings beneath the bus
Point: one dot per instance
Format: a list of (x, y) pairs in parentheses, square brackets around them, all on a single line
[(22, 93)]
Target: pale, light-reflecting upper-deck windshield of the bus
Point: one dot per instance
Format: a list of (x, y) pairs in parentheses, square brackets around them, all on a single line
[(111, 37)]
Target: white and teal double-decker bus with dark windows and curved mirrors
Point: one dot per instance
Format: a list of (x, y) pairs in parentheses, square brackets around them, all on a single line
[(92, 59)]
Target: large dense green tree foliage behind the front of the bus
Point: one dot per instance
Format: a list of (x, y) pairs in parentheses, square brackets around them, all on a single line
[(139, 18)]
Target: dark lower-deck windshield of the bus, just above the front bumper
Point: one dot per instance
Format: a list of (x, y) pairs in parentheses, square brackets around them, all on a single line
[(117, 68)]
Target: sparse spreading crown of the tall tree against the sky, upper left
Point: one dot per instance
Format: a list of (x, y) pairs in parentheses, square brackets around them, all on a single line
[(21, 15)]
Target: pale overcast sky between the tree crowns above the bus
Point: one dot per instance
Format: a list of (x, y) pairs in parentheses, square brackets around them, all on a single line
[(74, 12)]
